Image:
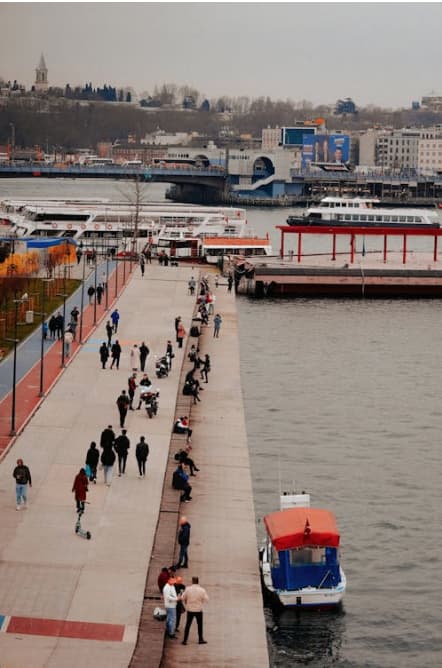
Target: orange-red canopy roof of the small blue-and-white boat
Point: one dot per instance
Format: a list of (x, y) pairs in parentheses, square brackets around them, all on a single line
[(298, 527)]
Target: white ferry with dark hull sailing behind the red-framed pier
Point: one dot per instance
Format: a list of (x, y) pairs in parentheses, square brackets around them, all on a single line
[(363, 212)]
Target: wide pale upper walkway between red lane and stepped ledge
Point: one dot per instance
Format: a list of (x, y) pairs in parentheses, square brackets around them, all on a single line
[(46, 571)]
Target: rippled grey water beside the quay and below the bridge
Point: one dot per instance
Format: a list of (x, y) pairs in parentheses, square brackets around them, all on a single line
[(343, 399)]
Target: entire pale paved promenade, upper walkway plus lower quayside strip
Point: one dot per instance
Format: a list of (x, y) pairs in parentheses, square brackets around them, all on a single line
[(65, 600)]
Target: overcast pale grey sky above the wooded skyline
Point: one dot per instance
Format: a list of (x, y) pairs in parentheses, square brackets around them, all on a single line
[(382, 54)]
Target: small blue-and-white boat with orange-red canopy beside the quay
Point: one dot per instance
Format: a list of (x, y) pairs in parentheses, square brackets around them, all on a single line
[(300, 560)]
